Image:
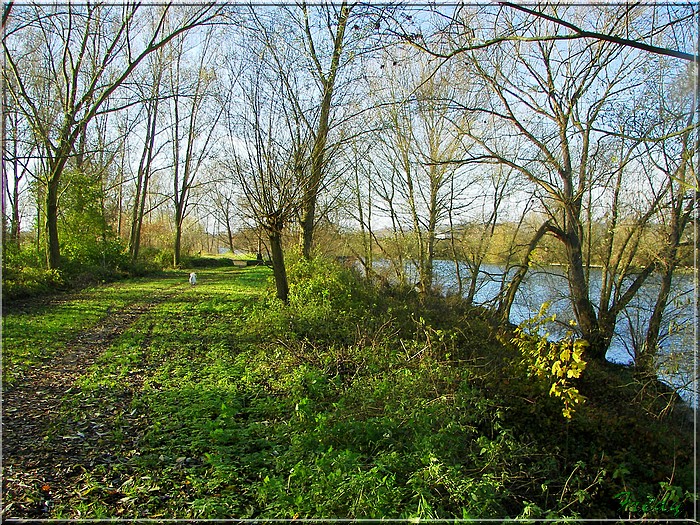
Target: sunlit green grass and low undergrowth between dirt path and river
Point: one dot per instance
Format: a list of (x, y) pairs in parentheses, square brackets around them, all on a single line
[(348, 403)]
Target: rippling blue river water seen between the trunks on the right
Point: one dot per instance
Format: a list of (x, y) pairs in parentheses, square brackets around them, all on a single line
[(550, 285)]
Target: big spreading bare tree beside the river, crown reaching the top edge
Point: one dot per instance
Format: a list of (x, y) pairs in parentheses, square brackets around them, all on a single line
[(557, 92)]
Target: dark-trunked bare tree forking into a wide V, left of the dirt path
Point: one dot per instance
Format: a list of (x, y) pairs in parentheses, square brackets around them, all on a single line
[(86, 53)]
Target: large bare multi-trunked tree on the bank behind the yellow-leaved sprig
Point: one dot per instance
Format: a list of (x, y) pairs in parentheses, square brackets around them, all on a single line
[(556, 97)]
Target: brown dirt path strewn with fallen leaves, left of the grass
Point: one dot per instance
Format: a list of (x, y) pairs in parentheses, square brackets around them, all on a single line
[(42, 457)]
